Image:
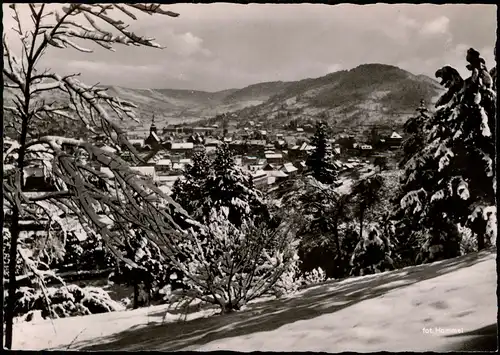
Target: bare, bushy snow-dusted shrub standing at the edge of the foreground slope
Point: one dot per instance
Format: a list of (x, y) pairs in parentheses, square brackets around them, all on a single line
[(230, 266)]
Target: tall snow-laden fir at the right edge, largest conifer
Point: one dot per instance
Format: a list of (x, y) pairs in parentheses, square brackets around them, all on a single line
[(450, 181)]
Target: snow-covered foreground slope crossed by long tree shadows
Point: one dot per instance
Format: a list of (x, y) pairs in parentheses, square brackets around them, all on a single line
[(413, 309)]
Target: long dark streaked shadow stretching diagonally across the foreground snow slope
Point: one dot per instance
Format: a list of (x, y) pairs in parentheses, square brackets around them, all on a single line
[(264, 316)]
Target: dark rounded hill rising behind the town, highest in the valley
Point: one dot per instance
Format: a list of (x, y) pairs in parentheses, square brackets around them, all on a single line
[(367, 94)]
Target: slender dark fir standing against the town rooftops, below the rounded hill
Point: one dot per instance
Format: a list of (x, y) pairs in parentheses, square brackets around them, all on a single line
[(319, 162)]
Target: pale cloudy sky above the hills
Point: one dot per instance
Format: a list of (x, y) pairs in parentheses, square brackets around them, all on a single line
[(220, 46)]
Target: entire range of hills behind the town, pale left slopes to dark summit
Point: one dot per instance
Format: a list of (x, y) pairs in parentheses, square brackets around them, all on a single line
[(370, 93)]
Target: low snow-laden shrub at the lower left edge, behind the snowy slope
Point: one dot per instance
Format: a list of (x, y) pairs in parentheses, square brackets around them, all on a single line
[(65, 301)]
